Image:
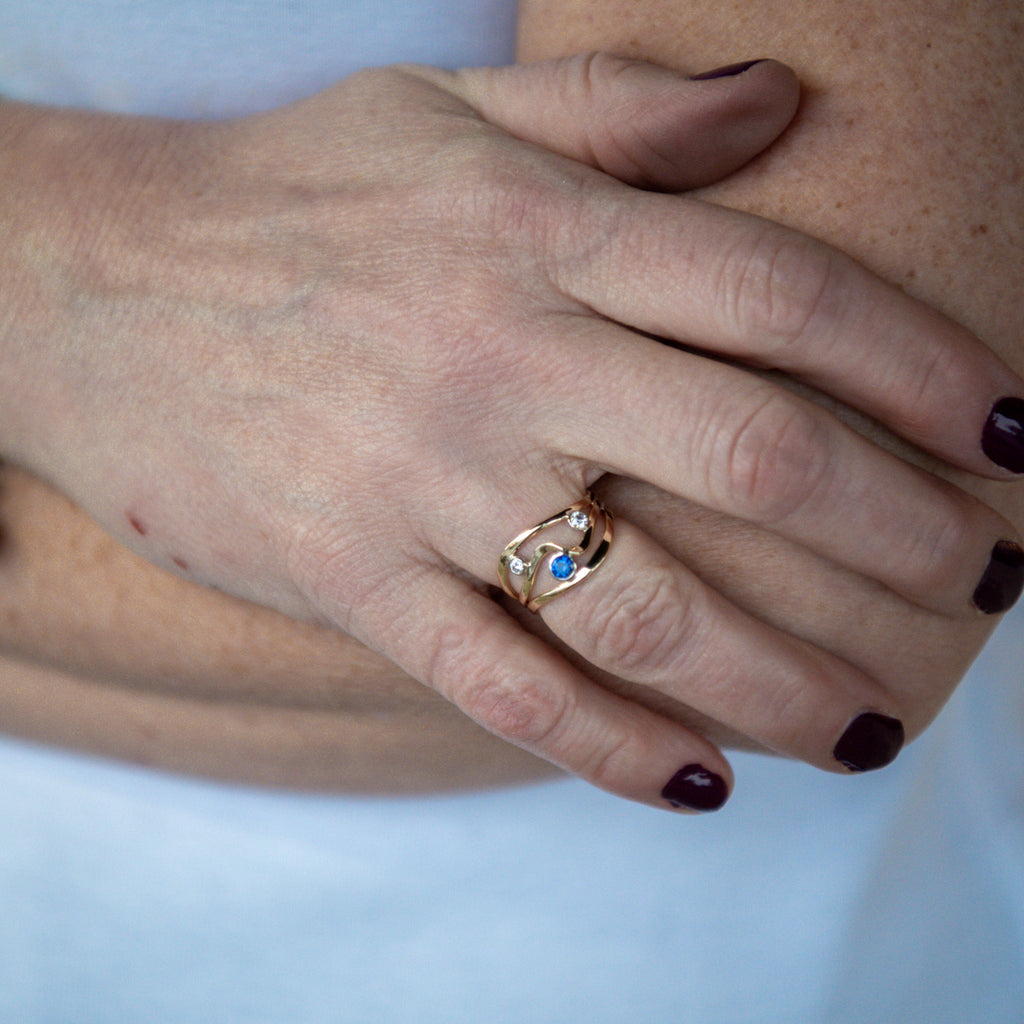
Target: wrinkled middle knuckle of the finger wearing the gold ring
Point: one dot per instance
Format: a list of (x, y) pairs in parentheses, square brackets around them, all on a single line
[(642, 623)]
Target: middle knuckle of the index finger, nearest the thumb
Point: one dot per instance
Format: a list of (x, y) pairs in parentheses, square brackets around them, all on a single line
[(781, 287)]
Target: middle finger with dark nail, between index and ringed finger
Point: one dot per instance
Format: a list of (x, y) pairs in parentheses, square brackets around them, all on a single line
[(743, 446)]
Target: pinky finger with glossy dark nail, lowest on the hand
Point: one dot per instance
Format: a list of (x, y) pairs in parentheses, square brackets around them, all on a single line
[(518, 688)]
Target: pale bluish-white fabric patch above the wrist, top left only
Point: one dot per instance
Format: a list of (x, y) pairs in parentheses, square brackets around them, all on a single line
[(217, 58)]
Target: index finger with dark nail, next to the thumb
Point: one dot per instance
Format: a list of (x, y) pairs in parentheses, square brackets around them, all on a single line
[(734, 285)]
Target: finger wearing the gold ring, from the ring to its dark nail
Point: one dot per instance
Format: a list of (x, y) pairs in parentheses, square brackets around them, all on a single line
[(644, 617)]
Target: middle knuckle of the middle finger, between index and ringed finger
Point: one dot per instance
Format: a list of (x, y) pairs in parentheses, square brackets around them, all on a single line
[(774, 463)]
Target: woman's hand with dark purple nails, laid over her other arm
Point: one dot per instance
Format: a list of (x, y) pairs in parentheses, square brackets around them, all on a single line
[(333, 358)]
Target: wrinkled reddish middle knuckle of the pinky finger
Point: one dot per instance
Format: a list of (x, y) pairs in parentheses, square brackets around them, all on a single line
[(494, 693)]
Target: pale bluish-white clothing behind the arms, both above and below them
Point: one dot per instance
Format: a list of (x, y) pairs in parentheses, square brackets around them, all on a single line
[(135, 899)]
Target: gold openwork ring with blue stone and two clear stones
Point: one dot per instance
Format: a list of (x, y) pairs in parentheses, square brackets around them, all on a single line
[(523, 570)]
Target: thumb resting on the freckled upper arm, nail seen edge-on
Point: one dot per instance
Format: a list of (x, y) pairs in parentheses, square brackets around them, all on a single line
[(644, 124)]
